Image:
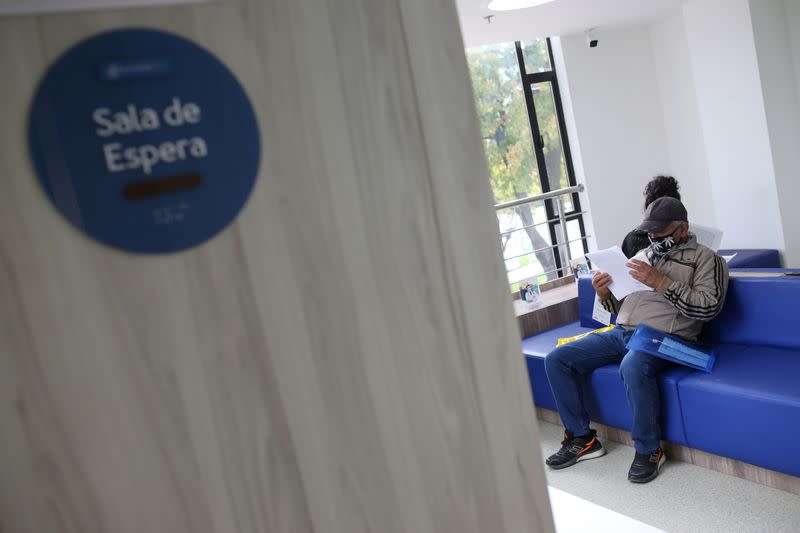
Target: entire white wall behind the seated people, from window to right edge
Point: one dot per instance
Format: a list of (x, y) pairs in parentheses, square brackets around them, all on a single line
[(709, 94)]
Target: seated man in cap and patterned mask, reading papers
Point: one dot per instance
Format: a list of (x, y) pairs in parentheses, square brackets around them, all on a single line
[(690, 282)]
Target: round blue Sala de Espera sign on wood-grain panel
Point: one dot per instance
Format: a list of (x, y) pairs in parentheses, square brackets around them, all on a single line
[(144, 140)]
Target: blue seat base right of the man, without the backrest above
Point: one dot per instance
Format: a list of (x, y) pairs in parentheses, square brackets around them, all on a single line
[(748, 408)]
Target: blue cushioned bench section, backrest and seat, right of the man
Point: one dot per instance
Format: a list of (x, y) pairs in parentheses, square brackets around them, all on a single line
[(753, 392)]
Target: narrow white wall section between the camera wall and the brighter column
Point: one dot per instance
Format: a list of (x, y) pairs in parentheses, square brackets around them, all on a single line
[(684, 133)]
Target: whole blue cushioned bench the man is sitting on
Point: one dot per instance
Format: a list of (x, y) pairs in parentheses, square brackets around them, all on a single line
[(747, 408)]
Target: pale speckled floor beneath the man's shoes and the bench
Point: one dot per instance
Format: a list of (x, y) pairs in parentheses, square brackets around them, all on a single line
[(684, 498)]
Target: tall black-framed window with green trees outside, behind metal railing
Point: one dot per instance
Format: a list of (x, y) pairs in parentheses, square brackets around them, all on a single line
[(522, 125)]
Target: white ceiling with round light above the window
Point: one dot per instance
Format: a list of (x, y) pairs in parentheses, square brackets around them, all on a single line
[(561, 17)]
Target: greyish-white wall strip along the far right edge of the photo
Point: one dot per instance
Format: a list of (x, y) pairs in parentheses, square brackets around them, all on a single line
[(777, 67)]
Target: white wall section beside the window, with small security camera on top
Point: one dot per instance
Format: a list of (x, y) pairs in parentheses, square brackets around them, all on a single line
[(619, 126)]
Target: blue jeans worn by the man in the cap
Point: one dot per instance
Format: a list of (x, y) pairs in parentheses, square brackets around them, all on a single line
[(567, 367)]
